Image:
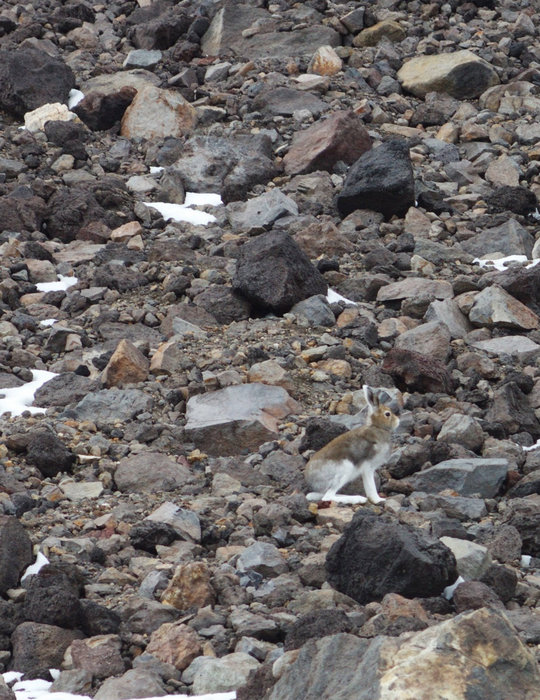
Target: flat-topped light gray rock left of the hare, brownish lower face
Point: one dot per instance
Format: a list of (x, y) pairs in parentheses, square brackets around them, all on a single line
[(237, 418)]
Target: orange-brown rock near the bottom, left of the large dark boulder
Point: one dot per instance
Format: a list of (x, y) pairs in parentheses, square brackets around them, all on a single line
[(190, 587)]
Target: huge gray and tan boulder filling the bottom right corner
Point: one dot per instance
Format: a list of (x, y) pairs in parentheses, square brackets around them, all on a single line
[(451, 659)]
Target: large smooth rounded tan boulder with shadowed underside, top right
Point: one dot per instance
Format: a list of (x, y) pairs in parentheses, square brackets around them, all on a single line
[(461, 74)]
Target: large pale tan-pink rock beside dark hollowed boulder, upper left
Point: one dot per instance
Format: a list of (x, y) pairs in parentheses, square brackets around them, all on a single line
[(157, 114)]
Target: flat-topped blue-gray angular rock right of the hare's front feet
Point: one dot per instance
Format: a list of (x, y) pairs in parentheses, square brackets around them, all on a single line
[(468, 477)]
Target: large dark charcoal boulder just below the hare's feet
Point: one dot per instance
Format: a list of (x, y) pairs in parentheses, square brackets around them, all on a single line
[(378, 555)]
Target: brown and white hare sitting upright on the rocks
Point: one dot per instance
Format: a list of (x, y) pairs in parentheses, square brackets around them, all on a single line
[(359, 452)]
